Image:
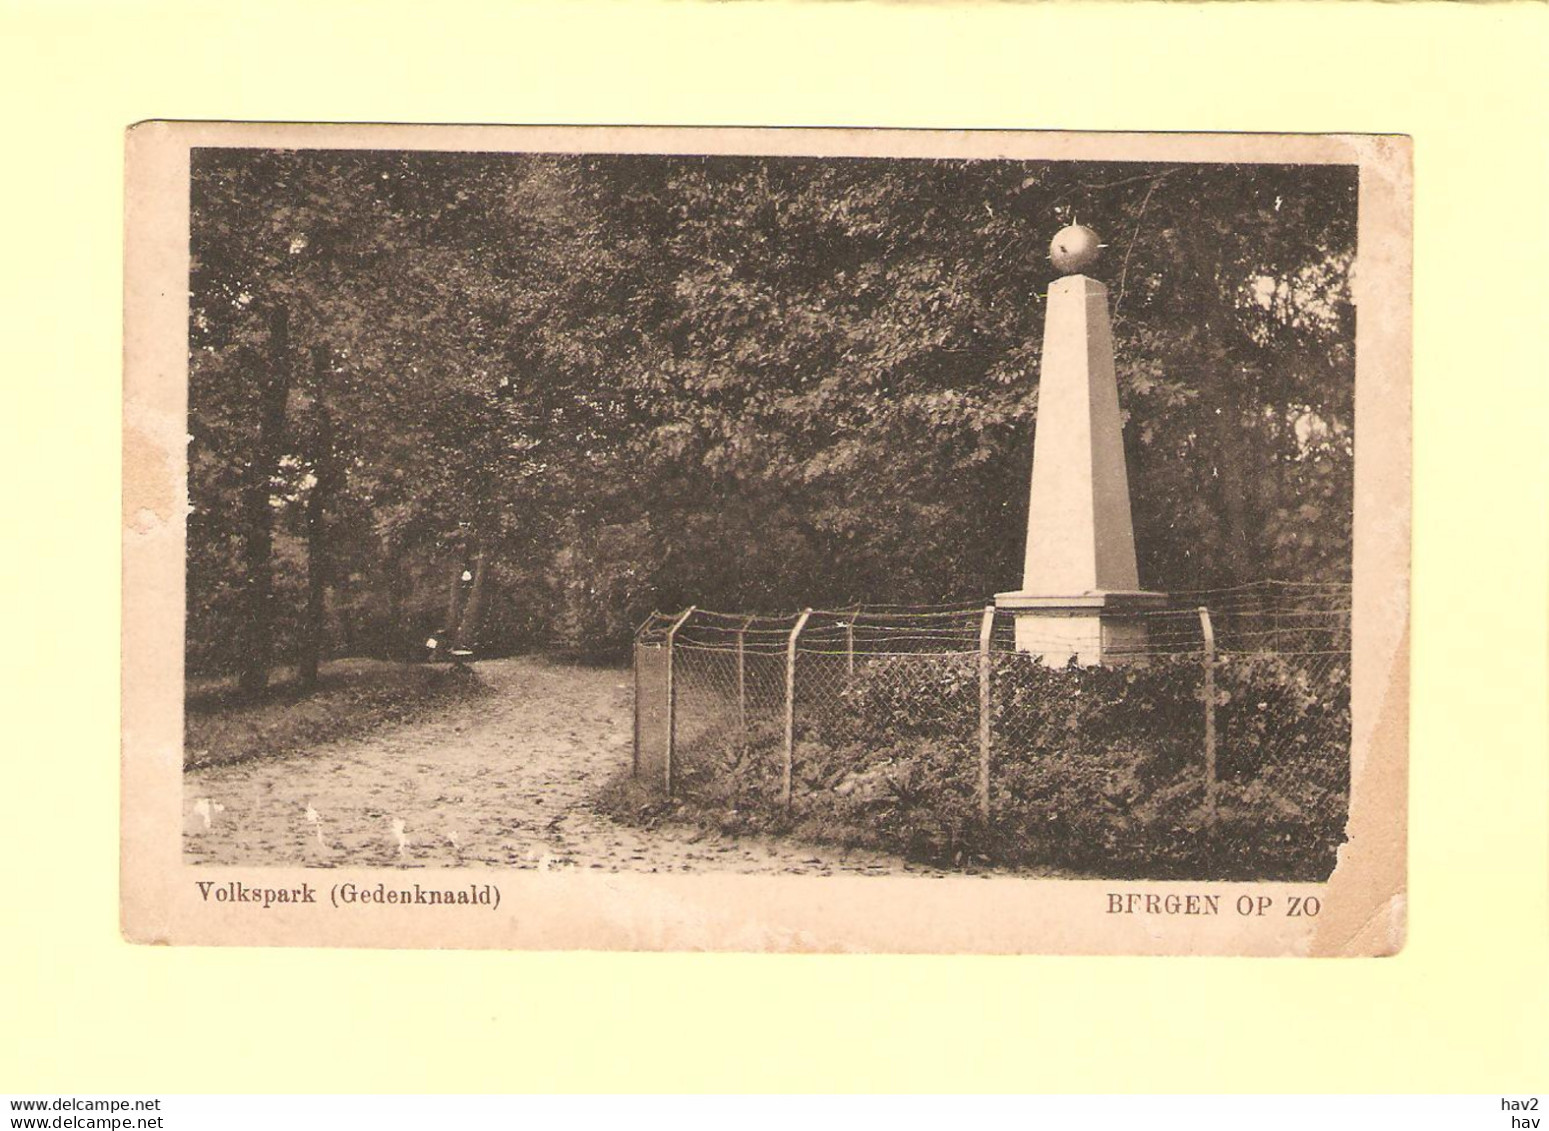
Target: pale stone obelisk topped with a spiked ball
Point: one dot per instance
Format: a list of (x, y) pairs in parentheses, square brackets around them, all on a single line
[(1080, 593)]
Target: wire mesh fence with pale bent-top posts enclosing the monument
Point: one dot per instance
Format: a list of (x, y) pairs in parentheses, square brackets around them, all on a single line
[(1221, 738)]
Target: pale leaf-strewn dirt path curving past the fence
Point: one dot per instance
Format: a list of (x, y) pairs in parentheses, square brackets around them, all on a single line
[(503, 782)]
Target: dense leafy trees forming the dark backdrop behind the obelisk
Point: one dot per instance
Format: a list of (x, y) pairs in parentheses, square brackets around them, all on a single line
[(524, 399)]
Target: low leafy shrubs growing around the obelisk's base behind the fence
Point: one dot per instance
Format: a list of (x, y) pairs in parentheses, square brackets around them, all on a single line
[(1097, 771)]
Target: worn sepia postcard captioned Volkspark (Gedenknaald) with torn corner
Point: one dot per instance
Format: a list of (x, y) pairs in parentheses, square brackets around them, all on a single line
[(967, 514)]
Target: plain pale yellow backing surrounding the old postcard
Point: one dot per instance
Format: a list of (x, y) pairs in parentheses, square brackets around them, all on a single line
[(1465, 1008)]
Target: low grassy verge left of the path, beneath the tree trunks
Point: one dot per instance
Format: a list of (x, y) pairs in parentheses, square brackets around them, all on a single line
[(352, 698)]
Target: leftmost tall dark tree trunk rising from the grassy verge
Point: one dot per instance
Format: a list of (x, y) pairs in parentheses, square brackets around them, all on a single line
[(258, 540)]
